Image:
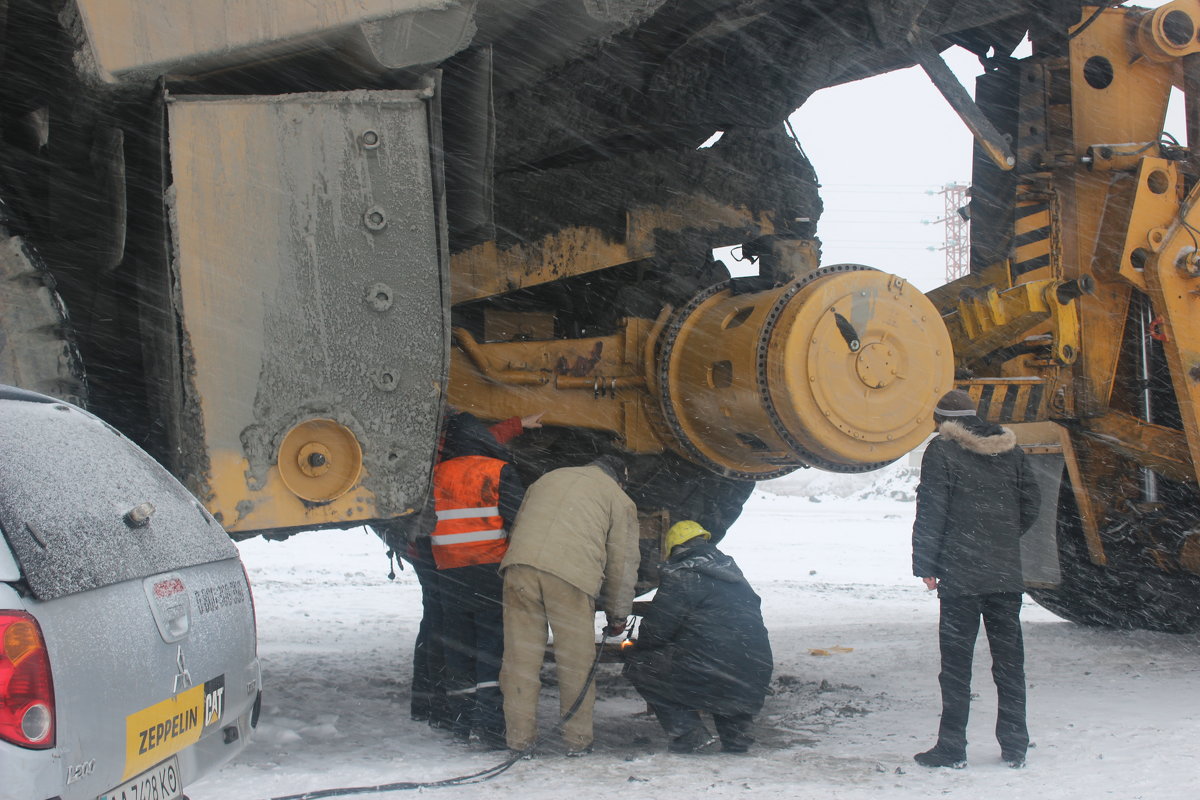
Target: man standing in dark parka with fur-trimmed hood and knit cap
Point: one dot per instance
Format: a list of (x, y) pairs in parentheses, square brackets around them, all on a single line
[(976, 500)]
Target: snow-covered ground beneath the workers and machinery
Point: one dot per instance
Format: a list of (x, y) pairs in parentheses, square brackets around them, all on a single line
[(1113, 715)]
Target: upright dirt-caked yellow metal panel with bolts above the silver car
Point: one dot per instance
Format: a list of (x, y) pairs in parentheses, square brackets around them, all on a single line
[(308, 264)]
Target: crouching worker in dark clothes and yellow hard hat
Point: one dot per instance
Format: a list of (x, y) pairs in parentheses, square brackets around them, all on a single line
[(703, 646)]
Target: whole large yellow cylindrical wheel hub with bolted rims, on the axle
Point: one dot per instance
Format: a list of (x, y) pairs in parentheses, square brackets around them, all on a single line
[(839, 370)]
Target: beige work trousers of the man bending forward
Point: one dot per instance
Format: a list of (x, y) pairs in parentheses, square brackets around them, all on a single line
[(532, 600)]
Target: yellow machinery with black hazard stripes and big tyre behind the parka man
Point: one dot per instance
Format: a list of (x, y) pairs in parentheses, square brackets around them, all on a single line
[(1079, 320)]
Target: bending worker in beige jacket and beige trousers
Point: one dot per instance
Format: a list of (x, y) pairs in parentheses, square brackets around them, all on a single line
[(577, 532)]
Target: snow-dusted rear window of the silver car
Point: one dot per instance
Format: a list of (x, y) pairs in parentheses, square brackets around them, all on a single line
[(68, 482)]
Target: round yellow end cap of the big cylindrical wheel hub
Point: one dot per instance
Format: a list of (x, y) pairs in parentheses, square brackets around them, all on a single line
[(854, 368)]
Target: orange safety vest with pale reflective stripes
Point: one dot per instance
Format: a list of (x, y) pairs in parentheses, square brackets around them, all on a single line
[(466, 497)]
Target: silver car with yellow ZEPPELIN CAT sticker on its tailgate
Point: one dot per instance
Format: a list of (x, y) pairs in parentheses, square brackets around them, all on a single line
[(129, 665)]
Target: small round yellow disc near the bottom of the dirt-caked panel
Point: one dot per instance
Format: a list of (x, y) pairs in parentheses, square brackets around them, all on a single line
[(320, 460)]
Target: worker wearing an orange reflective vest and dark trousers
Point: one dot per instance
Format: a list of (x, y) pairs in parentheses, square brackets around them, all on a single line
[(477, 495)]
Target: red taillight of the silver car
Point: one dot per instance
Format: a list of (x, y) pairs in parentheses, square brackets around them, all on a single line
[(27, 690)]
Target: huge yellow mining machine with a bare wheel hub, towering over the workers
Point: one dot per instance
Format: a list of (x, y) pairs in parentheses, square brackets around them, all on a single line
[(274, 242)]
